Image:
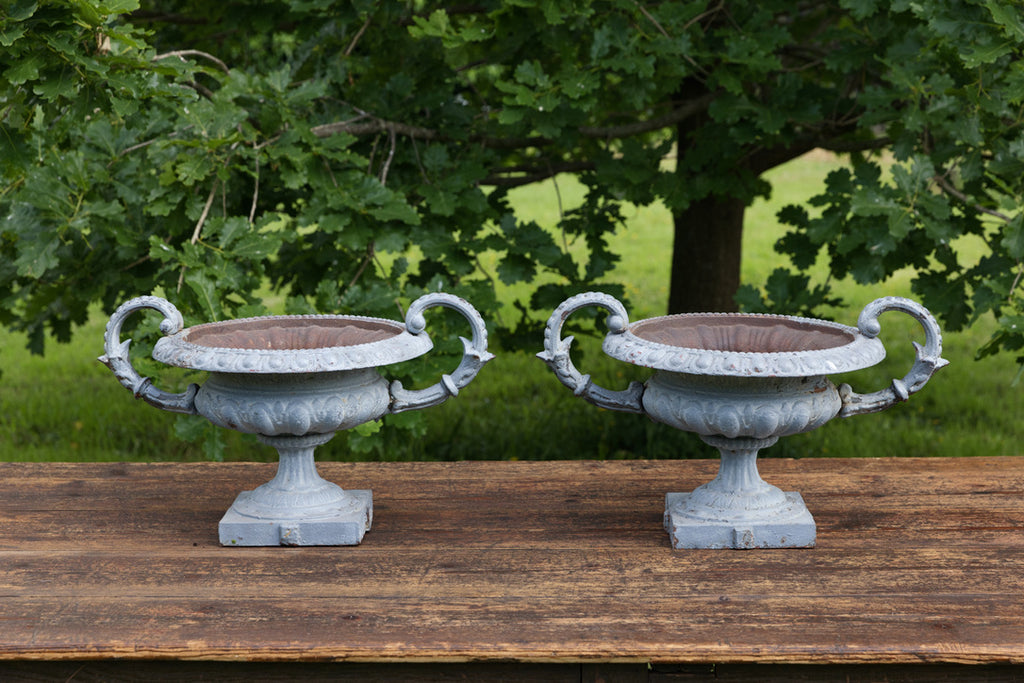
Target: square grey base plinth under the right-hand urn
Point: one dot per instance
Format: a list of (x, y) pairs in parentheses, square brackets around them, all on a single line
[(796, 530)]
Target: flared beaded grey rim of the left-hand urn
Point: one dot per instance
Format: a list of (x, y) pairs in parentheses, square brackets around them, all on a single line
[(286, 345)]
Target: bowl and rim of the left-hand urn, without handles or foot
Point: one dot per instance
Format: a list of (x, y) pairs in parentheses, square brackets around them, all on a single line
[(292, 375)]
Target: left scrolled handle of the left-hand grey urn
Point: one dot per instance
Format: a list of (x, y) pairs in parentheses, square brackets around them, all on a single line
[(116, 357)]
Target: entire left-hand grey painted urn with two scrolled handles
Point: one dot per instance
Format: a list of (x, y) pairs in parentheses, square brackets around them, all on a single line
[(294, 381)]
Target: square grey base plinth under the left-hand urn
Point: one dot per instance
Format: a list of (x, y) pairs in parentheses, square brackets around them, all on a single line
[(345, 529)]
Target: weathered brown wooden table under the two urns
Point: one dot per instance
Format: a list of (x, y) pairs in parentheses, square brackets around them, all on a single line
[(515, 571)]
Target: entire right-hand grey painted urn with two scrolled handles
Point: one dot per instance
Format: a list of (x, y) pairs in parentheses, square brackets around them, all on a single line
[(741, 382)]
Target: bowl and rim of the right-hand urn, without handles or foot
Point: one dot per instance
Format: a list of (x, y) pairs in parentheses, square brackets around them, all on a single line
[(743, 376)]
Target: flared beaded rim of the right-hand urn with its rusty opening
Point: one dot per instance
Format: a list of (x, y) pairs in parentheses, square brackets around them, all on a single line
[(745, 346)]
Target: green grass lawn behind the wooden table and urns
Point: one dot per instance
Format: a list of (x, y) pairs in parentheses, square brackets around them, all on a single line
[(67, 407)]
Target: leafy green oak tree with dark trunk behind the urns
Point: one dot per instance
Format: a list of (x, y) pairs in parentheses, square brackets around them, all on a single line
[(205, 149)]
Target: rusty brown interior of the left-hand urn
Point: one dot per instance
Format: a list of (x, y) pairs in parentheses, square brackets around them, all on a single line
[(291, 334)]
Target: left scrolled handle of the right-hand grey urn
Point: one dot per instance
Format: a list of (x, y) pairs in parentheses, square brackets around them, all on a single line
[(557, 354)]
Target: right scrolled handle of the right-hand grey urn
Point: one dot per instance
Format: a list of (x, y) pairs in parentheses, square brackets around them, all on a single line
[(929, 358)]
